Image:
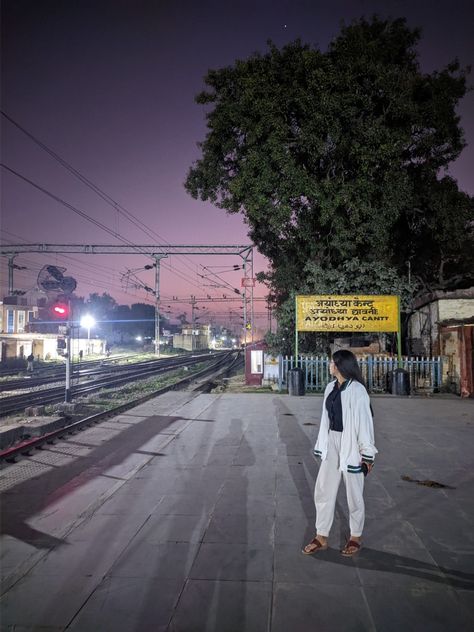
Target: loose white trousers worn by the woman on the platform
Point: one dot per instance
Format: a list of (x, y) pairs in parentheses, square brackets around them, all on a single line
[(325, 491)]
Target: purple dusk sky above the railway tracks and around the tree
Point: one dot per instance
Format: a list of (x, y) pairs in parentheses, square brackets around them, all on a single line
[(109, 85)]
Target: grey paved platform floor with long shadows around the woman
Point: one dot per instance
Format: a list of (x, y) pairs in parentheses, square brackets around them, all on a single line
[(188, 514)]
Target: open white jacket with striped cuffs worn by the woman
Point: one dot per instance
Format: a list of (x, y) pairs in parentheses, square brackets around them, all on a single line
[(357, 441)]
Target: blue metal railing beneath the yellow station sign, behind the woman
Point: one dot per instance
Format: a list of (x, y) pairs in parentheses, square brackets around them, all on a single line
[(425, 373)]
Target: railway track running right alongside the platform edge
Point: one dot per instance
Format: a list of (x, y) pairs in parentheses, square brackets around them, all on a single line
[(223, 364)]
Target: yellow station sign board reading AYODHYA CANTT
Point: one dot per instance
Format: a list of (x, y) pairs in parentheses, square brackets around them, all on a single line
[(347, 313)]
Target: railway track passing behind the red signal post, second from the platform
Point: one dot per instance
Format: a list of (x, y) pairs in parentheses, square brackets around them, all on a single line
[(105, 378)]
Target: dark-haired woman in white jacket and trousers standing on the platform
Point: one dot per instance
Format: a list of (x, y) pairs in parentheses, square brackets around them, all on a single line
[(346, 447)]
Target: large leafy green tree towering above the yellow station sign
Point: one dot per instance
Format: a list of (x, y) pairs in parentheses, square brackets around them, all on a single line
[(335, 156)]
